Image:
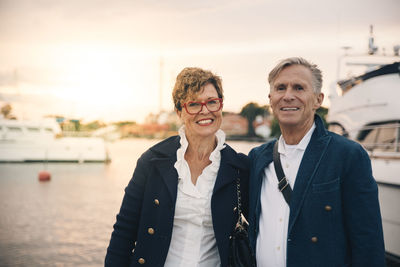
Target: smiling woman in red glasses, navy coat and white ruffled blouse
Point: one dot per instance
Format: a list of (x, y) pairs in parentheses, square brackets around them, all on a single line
[(179, 208)]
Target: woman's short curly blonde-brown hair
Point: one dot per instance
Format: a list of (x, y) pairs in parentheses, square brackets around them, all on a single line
[(190, 81)]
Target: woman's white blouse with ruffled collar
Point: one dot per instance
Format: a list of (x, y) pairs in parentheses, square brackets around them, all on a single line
[(193, 242)]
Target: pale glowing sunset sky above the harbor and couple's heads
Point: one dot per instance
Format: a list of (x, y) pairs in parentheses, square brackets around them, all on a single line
[(117, 60)]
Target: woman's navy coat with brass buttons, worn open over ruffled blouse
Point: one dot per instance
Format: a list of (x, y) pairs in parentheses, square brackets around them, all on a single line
[(149, 202)]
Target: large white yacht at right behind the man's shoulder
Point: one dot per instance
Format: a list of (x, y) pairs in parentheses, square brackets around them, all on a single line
[(366, 108)]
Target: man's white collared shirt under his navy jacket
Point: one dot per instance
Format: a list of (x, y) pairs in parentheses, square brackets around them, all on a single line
[(274, 216)]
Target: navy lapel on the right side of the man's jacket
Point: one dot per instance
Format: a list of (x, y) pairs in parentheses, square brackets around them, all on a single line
[(308, 166)]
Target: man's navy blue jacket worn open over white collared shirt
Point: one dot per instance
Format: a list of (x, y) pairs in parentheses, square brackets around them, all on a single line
[(334, 210)]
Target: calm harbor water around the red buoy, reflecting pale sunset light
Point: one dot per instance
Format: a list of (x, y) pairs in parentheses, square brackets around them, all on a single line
[(68, 220)]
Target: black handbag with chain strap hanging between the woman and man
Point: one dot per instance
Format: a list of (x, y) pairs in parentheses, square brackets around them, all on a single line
[(240, 252)]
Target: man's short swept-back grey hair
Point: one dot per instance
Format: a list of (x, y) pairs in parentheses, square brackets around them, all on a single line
[(315, 72)]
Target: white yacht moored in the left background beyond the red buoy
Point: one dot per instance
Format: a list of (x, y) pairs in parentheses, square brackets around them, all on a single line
[(40, 141)]
